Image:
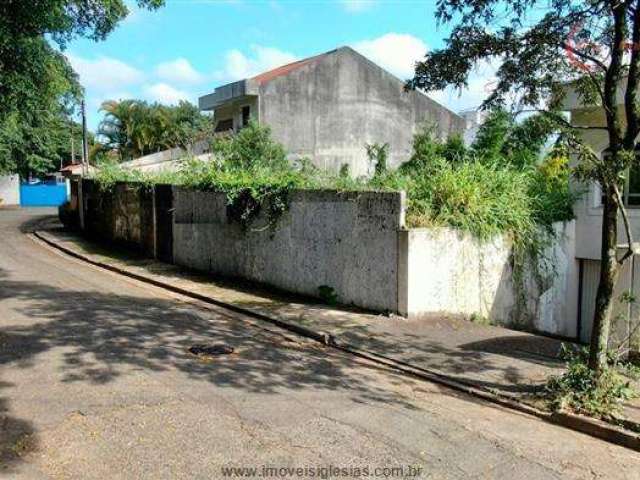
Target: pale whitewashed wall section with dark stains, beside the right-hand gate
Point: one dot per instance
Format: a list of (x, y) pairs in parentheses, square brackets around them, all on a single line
[(445, 271)]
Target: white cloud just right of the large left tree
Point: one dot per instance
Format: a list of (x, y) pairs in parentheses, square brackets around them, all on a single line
[(104, 73)]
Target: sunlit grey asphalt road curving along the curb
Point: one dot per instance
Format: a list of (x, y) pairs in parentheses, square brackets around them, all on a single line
[(96, 382)]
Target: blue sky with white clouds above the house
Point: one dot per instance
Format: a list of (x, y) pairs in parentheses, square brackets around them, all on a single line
[(188, 47)]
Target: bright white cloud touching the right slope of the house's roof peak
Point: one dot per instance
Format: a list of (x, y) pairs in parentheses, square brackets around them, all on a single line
[(395, 52)]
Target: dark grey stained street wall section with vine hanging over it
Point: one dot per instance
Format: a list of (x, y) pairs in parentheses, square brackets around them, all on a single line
[(347, 241)]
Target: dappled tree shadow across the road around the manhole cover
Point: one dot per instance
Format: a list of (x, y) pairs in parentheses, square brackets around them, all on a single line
[(100, 337)]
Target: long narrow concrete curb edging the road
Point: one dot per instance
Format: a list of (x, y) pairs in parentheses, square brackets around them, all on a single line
[(590, 426)]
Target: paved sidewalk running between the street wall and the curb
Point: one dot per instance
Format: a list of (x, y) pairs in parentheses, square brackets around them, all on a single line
[(499, 360)]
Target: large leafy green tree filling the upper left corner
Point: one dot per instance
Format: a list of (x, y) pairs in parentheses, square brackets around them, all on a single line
[(37, 85)]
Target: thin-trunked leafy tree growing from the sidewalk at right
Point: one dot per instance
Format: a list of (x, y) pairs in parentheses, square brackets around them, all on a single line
[(540, 46)]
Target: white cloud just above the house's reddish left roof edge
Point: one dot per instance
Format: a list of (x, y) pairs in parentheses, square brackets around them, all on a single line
[(238, 65)]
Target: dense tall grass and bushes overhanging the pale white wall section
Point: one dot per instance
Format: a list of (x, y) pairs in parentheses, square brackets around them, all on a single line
[(488, 188)]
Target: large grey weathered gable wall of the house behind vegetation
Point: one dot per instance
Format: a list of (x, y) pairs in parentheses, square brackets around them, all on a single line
[(330, 108)]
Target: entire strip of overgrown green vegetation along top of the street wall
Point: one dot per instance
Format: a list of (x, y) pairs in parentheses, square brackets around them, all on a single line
[(486, 189)]
